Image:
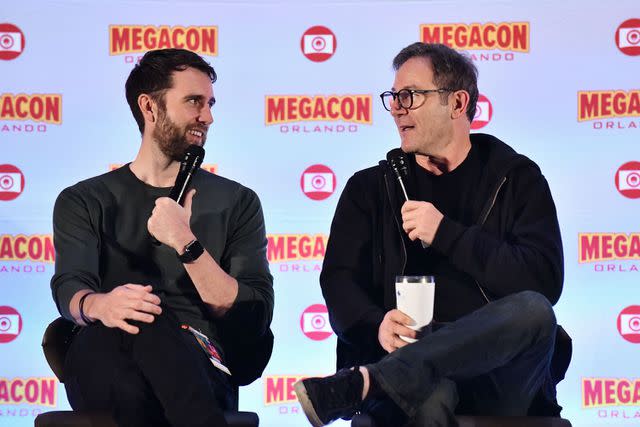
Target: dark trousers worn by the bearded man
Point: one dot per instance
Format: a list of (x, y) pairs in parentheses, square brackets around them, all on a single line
[(158, 377)]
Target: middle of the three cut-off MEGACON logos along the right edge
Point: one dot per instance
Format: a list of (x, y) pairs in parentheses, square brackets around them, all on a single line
[(610, 252)]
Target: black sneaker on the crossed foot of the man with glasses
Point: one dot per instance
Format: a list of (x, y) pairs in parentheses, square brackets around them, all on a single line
[(324, 400)]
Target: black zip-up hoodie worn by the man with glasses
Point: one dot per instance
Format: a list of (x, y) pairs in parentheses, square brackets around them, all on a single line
[(513, 245)]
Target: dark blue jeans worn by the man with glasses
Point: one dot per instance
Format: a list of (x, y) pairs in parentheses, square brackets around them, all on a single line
[(490, 362)]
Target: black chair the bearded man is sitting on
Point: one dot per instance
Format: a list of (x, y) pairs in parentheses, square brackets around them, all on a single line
[(55, 343)]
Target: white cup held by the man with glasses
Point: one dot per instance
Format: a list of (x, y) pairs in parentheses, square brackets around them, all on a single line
[(415, 297)]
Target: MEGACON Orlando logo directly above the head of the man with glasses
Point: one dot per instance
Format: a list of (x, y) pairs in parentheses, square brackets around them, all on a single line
[(486, 41)]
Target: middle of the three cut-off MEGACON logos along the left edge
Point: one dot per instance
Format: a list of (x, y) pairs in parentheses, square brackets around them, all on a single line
[(22, 253)]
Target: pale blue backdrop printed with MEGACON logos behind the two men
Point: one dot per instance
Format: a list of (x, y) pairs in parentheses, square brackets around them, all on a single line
[(297, 114)]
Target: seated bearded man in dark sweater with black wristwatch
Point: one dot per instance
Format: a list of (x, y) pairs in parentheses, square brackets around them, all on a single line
[(163, 324)]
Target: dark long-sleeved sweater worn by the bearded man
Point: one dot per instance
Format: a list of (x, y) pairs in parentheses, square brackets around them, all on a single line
[(101, 241)]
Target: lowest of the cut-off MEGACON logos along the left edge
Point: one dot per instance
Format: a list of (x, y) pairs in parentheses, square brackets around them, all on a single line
[(29, 391)]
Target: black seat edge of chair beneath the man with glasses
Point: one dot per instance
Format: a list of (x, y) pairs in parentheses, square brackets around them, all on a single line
[(364, 420)]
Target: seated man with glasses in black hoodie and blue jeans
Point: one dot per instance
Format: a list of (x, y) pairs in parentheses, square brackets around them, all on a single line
[(481, 219)]
